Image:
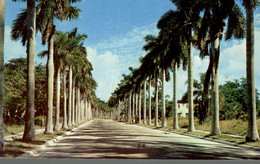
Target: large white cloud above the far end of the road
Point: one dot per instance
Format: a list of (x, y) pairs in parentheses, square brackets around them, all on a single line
[(106, 72)]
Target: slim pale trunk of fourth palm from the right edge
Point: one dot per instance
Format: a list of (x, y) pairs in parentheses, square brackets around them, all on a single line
[(175, 102)]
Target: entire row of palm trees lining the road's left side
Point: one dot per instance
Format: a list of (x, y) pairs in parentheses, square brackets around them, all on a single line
[(65, 55)]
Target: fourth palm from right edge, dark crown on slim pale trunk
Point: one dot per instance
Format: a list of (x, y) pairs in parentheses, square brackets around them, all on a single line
[(171, 32)]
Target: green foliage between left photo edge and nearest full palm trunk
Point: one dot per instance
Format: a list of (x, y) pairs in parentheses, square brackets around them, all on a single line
[(14, 90)]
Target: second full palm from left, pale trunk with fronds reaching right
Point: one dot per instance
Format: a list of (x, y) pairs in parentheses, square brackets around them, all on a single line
[(48, 11)]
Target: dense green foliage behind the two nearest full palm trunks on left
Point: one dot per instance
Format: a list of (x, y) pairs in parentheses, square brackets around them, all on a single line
[(15, 90)]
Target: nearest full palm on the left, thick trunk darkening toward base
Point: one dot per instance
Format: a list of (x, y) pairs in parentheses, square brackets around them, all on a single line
[(28, 35)]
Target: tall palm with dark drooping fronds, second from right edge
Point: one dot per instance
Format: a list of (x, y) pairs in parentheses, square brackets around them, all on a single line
[(210, 33)]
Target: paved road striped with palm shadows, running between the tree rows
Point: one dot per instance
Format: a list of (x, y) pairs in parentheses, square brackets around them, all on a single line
[(110, 139)]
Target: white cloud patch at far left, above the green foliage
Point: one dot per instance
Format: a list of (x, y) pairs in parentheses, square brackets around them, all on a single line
[(12, 49)]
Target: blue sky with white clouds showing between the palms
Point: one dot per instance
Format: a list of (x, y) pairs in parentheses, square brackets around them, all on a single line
[(116, 29)]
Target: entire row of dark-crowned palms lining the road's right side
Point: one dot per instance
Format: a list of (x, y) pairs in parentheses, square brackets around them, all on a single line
[(199, 24)]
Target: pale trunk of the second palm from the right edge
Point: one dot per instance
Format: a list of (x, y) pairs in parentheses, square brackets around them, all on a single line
[(215, 130)]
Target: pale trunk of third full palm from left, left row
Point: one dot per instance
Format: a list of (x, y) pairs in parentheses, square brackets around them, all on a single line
[(57, 120)]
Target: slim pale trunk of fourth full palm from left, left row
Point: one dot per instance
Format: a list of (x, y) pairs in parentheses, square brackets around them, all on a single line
[(65, 119)]
